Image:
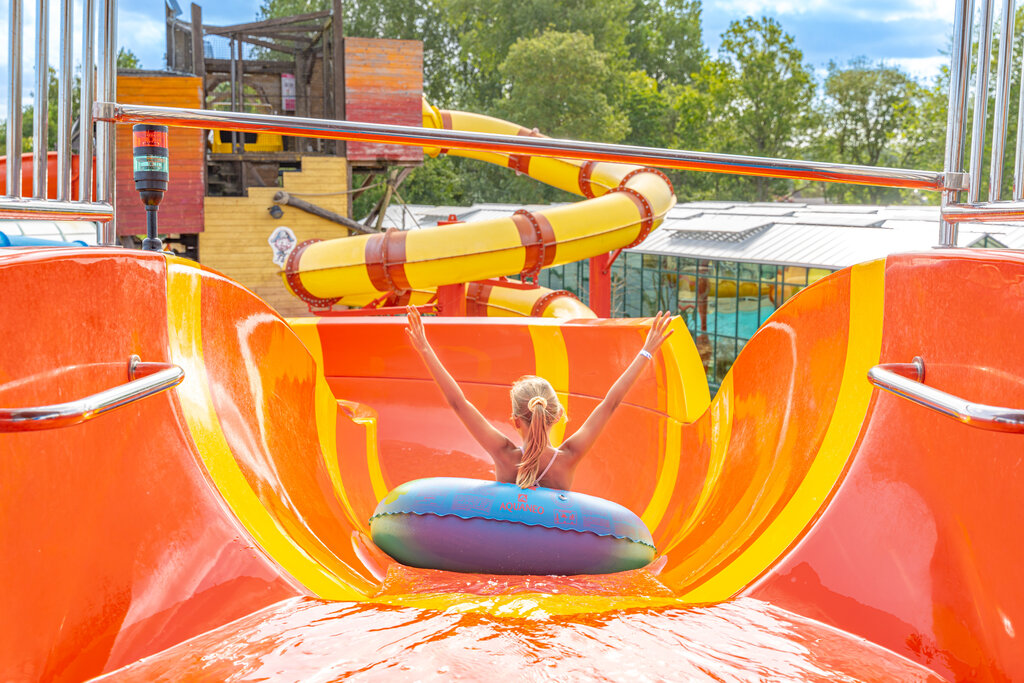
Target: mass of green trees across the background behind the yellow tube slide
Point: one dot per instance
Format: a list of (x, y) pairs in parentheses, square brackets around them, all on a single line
[(636, 72)]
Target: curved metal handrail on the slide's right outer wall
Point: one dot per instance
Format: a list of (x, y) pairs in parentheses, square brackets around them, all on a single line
[(897, 378)]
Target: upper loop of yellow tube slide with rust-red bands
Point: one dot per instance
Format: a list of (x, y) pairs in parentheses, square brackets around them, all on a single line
[(624, 205)]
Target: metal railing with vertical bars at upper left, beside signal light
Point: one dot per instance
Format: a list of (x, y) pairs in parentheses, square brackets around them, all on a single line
[(56, 203)]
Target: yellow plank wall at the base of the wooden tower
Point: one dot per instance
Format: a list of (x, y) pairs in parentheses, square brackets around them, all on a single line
[(237, 229)]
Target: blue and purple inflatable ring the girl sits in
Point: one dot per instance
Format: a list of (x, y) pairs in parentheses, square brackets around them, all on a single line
[(480, 527)]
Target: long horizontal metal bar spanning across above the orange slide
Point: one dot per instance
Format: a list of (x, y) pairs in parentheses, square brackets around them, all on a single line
[(544, 147)]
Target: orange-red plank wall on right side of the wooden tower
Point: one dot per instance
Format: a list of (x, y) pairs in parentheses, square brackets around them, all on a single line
[(385, 84)]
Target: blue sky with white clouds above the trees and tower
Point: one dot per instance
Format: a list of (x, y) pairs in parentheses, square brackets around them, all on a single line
[(910, 34)]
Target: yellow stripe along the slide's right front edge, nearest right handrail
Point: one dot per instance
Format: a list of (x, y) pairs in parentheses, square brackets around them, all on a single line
[(864, 349)]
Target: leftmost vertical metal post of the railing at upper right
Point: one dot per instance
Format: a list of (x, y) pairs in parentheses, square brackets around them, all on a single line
[(957, 119)]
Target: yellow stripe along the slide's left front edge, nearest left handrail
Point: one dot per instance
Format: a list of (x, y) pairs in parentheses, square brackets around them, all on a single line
[(185, 328)]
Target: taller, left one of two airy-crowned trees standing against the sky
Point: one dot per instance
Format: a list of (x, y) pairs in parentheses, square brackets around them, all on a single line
[(767, 90)]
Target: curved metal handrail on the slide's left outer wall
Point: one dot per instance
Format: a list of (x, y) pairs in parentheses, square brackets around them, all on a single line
[(163, 377)]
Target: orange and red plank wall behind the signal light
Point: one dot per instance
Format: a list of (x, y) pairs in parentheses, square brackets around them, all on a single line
[(182, 209)]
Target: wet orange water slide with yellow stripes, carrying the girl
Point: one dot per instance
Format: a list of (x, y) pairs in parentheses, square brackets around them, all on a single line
[(808, 527)]
